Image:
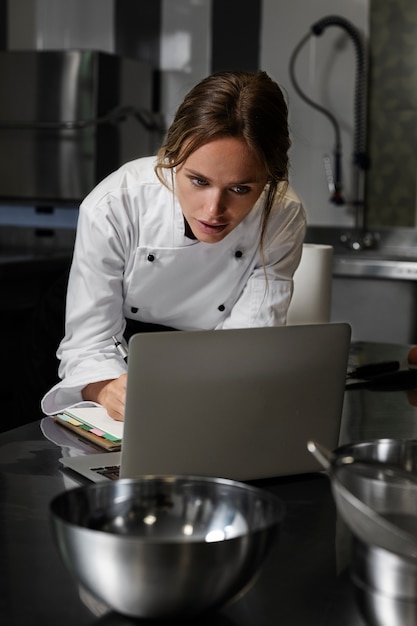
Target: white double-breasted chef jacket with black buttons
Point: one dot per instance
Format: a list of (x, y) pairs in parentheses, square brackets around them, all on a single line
[(133, 260)]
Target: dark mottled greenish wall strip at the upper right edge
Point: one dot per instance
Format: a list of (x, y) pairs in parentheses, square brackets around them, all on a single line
[(391, 181)]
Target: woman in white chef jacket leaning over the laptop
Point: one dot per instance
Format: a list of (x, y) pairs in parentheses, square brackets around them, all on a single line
[(206, 235)]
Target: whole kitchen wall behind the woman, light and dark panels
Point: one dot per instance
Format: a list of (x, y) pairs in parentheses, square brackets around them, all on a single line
[(189, 48)]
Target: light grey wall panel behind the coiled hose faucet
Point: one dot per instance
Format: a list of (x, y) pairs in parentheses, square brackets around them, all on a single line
[(325, 70)]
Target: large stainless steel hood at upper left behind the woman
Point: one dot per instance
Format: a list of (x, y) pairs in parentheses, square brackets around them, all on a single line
[(67, 119)]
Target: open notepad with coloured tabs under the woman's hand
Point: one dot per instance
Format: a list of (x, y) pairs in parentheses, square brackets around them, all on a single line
[(93, 424)]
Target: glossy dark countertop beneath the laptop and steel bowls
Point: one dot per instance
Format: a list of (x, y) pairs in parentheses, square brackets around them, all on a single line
[(305, 581)]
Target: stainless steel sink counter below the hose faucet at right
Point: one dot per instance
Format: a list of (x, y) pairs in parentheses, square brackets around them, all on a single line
[(374, 290)]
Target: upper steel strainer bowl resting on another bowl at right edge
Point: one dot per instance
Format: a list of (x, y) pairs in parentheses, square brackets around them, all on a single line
[(380, 504)]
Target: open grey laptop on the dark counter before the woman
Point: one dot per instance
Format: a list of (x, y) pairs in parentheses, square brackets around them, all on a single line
[(238, 404)]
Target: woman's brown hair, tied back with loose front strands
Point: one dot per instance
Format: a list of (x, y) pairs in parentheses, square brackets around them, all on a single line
[(245, 105)]
